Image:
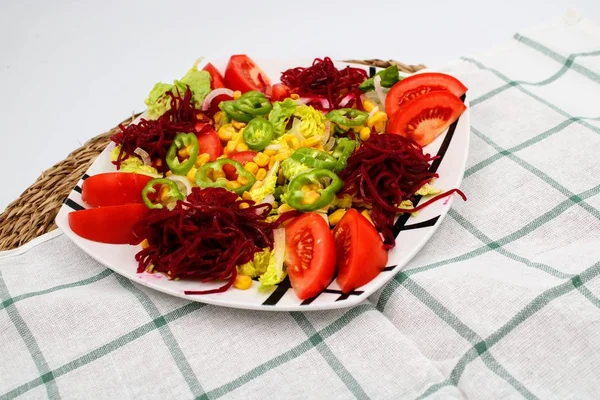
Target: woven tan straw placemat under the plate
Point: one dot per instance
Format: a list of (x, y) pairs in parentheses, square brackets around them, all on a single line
[(33, 213)]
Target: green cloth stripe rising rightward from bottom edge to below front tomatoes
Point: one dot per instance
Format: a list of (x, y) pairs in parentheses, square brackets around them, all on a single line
[(291, 354)]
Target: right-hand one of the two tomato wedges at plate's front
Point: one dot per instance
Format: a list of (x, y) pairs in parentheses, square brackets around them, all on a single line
[(360, 252)]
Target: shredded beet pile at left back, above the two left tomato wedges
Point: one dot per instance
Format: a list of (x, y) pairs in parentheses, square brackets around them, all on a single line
[(155, 136)]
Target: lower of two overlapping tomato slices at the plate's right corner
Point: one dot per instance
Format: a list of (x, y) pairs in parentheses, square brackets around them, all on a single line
[(426, 117)]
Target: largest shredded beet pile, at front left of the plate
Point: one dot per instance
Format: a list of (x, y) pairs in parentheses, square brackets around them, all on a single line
[(205, 237)]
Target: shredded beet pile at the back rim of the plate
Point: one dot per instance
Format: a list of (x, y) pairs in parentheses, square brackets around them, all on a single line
[(324, 80)]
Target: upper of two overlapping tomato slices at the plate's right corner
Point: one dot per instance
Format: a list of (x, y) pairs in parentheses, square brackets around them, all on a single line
[(416, 85)]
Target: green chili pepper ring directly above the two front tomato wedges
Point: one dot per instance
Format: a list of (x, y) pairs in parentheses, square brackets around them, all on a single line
[(296, 198)]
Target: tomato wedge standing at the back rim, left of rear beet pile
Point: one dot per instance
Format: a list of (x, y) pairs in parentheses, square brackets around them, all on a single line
[(244, 75)]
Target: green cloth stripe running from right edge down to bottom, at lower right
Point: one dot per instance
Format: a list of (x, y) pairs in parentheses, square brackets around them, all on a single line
[(530, 309)]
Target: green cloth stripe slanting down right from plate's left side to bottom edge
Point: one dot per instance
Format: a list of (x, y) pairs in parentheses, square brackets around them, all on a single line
[(167, 336)]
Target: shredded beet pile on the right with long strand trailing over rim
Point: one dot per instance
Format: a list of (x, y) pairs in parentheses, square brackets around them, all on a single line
[(384, 171)]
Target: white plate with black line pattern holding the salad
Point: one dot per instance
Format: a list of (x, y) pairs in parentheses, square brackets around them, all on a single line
[(413, 232)]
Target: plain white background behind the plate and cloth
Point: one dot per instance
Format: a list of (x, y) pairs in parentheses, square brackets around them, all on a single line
[(70, 70)]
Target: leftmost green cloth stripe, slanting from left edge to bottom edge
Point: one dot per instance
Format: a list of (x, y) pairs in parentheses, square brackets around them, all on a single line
[(46, 376)]
